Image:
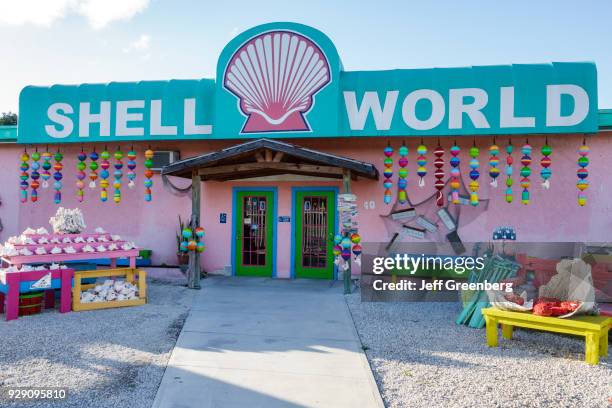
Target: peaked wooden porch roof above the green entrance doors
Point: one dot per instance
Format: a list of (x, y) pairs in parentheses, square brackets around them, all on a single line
[(265, 157)]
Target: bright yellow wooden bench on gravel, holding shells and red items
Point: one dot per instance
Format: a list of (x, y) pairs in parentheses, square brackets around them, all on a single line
[(593, 328)]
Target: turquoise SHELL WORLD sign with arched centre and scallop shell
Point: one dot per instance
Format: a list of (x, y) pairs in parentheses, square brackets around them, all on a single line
[(286, 80)]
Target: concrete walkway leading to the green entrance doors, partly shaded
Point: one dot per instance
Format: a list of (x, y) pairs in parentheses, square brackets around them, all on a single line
[(254, 342)]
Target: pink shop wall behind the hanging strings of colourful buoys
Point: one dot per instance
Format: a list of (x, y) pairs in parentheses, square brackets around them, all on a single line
[(553, 215)]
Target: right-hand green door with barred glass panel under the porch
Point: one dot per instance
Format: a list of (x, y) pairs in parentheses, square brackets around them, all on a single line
[(315, 220)]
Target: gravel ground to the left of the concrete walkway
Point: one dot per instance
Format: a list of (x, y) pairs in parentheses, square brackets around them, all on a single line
[(106, 358)]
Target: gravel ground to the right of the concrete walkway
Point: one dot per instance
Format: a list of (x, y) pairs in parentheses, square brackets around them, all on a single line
[(421, 358)]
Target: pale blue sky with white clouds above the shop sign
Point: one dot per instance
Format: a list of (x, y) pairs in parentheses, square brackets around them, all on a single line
[(90, 41)]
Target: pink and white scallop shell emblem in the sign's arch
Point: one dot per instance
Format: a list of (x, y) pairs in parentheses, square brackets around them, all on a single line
[(275, 76)]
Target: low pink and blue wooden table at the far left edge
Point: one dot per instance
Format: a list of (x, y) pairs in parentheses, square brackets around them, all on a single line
[(14, 282)]
